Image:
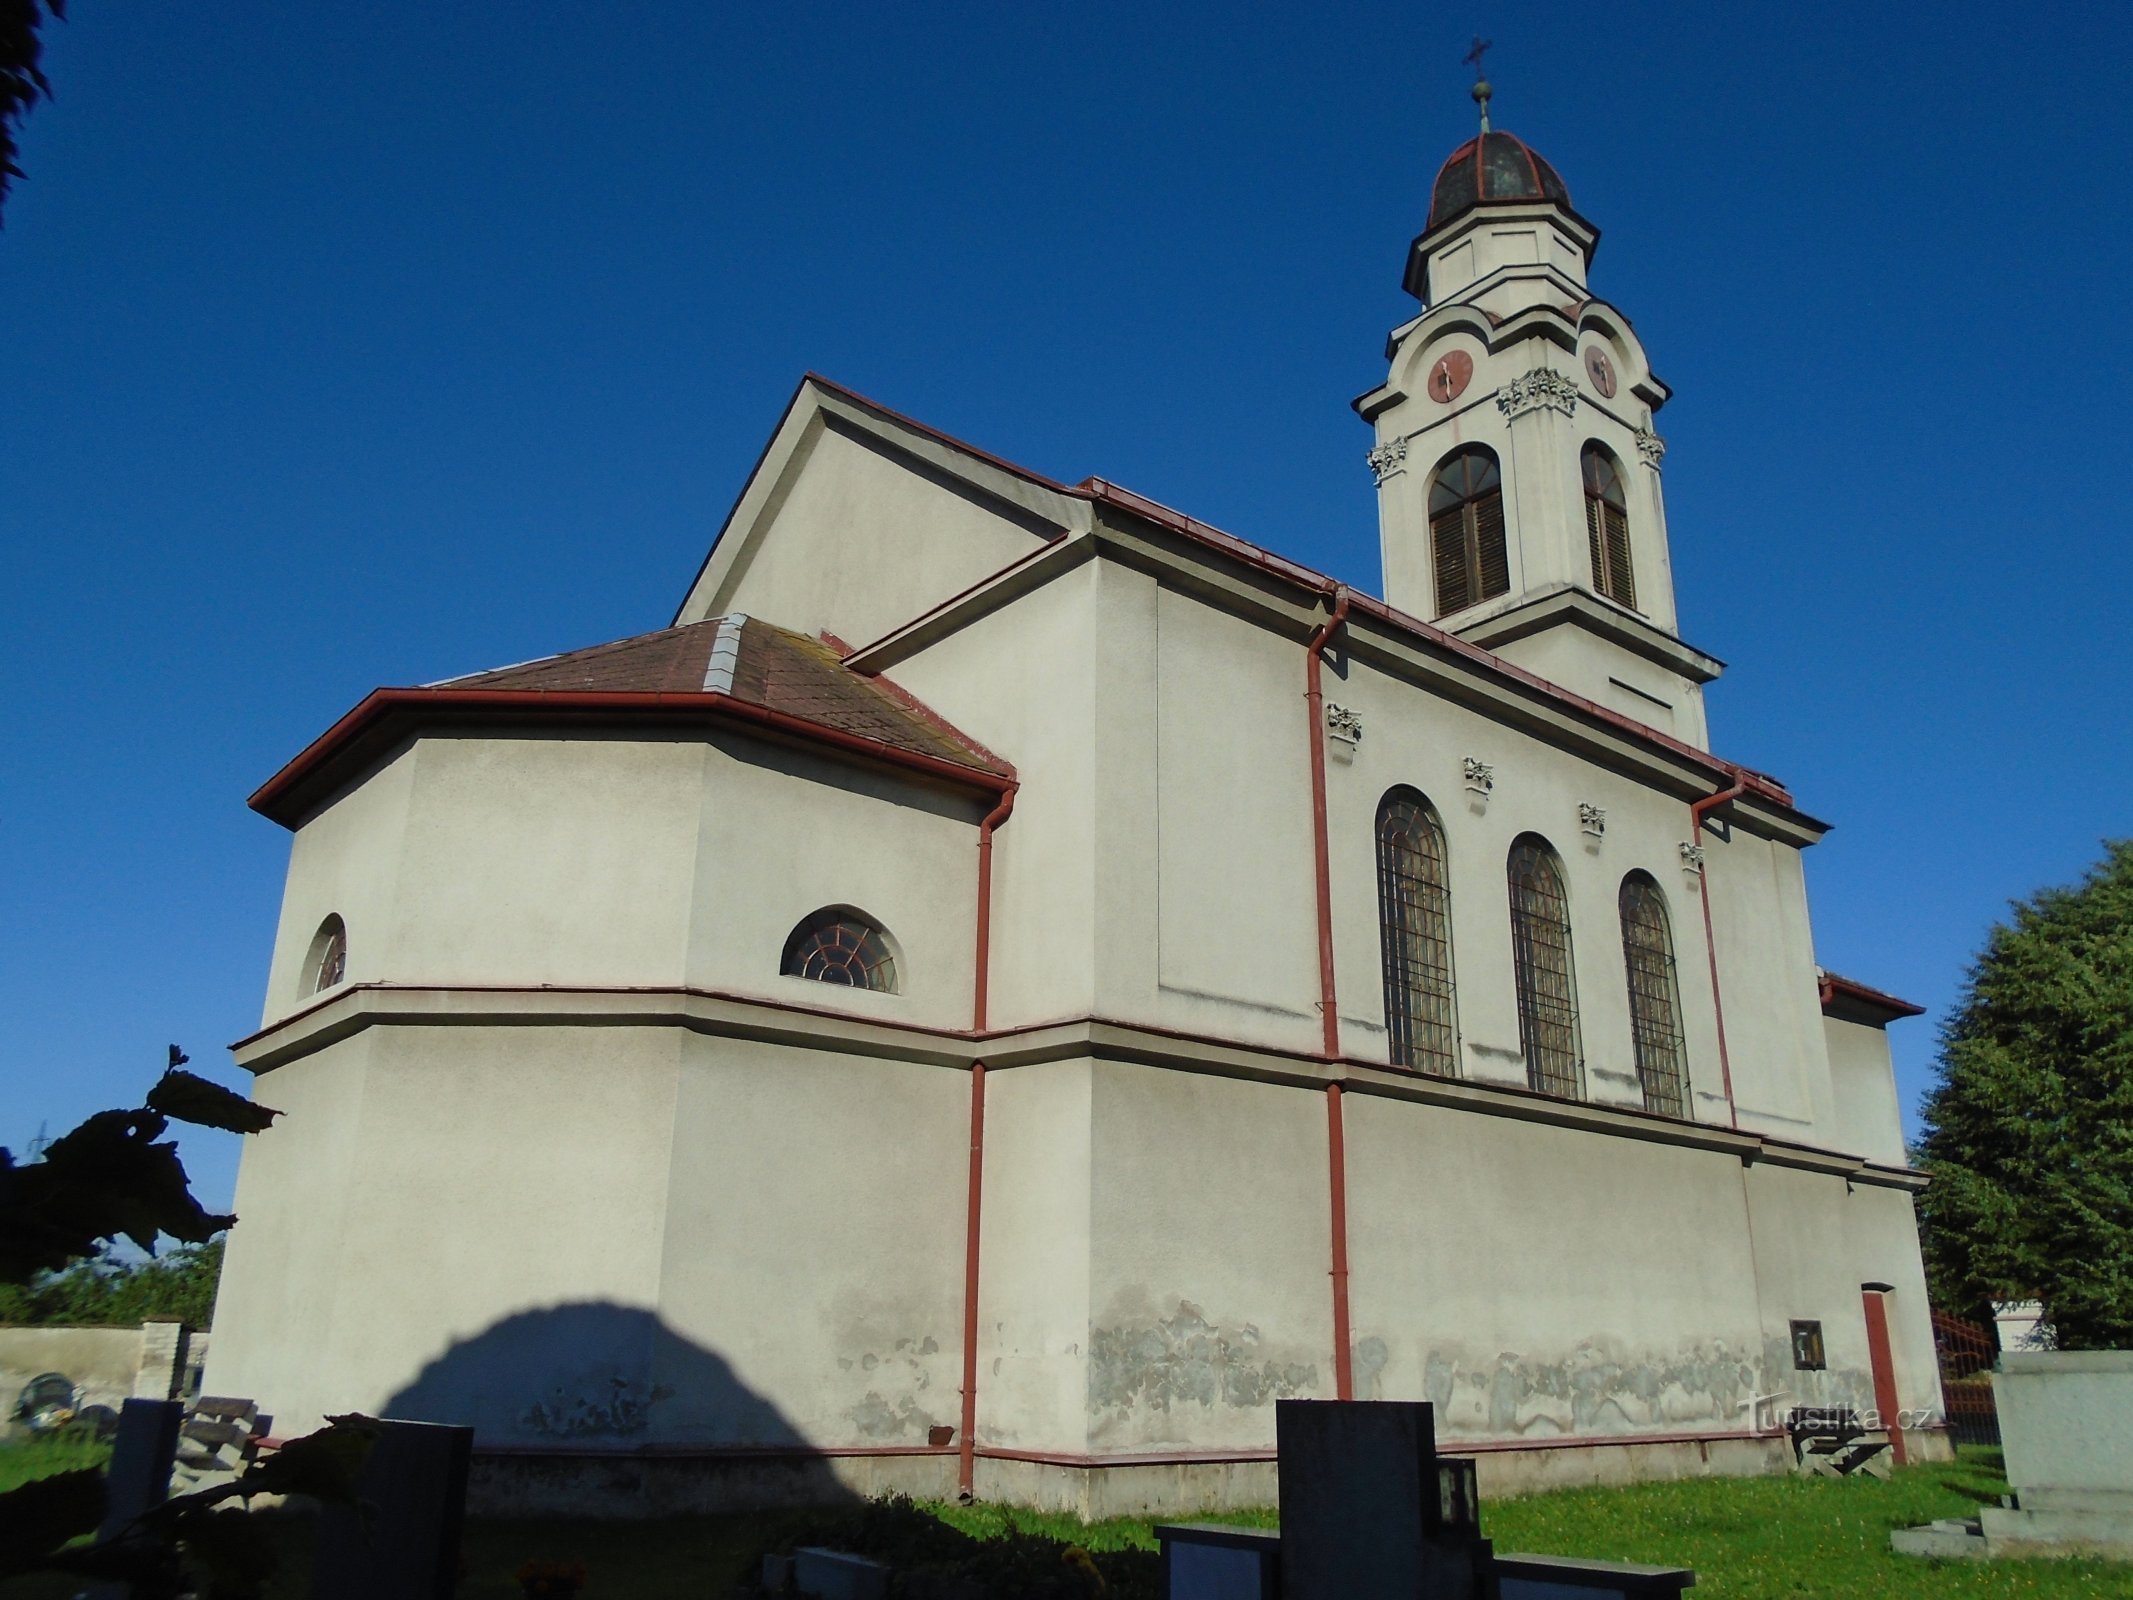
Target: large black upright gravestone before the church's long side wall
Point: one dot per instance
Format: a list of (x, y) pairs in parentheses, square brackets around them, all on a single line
[(1364, 1505)]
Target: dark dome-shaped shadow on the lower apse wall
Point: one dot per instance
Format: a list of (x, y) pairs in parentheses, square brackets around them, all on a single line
[(592, 1377)]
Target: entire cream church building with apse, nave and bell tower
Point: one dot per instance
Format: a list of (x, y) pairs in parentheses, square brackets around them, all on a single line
[(1014, 980)]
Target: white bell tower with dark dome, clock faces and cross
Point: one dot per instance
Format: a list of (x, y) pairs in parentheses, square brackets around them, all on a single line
[(1518, 462)]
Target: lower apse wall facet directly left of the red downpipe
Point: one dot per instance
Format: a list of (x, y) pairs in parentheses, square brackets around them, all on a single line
[(812, 1258)]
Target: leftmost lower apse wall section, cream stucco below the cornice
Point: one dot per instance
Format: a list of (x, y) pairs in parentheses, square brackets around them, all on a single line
[(447, 1215)]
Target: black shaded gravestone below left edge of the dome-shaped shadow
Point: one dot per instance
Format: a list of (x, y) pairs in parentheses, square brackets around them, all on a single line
[(404, 1535)]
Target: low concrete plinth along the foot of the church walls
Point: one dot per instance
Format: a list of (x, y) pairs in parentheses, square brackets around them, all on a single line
[(543, 1484)]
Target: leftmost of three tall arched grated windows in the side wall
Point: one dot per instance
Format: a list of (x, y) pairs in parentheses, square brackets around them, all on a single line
[(1415, 925)]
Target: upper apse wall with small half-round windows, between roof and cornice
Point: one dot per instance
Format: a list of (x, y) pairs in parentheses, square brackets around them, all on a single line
[(632, 863)]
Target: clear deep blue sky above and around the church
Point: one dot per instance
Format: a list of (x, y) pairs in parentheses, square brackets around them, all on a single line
[(376, 345)]
